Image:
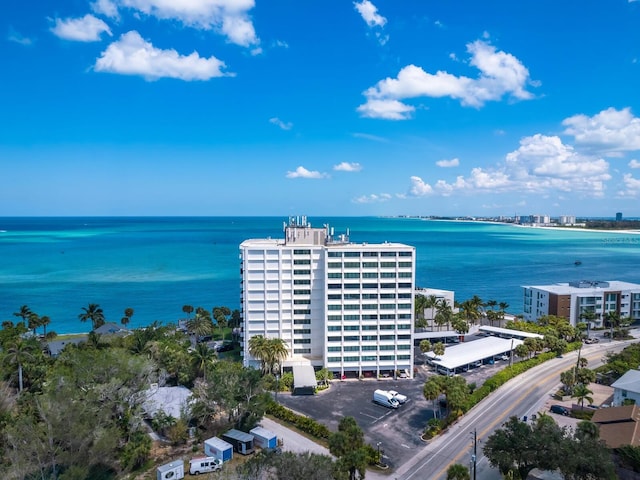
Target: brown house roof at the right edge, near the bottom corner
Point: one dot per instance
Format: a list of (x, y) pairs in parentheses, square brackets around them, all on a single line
[(619, 425)]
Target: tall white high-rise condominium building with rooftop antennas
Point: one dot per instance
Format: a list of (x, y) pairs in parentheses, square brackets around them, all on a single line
[(340, 305)]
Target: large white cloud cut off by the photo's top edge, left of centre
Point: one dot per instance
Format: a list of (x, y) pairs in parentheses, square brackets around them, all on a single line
[(227, 17)]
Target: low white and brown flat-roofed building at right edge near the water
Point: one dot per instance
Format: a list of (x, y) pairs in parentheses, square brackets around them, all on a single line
[(572, 300)]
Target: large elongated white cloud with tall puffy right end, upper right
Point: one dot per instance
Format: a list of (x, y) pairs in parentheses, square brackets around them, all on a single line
[(500, 74)]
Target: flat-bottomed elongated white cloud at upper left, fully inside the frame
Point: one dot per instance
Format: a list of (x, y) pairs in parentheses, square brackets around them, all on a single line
[(132, 55)]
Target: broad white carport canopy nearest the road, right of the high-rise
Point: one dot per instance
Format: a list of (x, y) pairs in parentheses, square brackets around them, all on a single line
[(469, 352)]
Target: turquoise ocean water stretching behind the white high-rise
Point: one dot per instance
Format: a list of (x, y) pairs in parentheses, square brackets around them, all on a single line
[(156, 265)]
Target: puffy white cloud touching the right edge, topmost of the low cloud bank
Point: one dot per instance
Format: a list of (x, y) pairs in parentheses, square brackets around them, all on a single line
[(610, 131)]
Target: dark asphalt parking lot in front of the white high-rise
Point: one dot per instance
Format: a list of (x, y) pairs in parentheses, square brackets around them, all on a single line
[(398, 431)]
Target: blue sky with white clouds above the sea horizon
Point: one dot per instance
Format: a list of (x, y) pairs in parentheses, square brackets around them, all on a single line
[(382, 107)]
